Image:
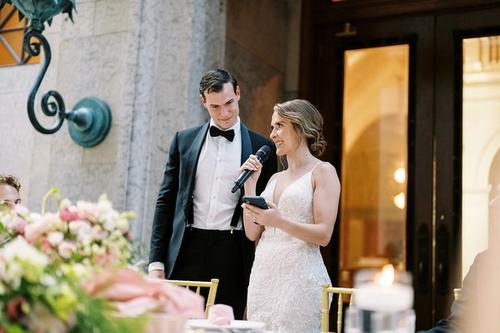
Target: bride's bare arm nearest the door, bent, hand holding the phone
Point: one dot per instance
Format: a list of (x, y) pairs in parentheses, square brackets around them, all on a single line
[(326, 196)]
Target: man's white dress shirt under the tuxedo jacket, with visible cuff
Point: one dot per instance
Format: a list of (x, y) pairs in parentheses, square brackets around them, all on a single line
[(217, 169)]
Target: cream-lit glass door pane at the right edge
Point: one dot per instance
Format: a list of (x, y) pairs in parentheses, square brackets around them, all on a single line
[(480, 142)]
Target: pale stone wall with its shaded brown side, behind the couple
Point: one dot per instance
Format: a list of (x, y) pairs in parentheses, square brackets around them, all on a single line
[(145, 59)]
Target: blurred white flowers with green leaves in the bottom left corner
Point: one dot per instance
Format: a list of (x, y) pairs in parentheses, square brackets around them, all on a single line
[(38, 295)]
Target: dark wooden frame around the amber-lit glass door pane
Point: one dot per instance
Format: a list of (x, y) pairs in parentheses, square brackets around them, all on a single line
[(419, 208)]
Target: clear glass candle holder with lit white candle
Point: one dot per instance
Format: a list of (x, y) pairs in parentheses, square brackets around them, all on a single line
[(382, 303)]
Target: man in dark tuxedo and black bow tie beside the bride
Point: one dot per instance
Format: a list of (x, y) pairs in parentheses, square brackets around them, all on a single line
[(197, 227)]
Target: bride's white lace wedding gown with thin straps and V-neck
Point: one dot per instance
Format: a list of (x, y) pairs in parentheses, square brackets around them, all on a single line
[(287, 274)]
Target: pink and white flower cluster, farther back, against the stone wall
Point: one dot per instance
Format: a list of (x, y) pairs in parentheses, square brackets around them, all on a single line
[(87, 233)]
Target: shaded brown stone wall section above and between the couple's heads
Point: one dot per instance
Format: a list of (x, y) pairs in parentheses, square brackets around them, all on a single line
[(263, 40)]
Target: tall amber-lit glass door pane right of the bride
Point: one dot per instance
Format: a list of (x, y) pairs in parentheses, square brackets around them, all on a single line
[(374, 159)]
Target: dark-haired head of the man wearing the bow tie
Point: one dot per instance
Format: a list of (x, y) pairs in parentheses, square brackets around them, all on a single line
[(220, 94)]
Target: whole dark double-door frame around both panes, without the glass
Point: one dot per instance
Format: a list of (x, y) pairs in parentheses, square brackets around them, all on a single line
[(434, 201)]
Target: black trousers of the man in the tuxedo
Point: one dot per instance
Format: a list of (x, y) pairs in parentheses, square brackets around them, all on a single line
[(207, 254)]
